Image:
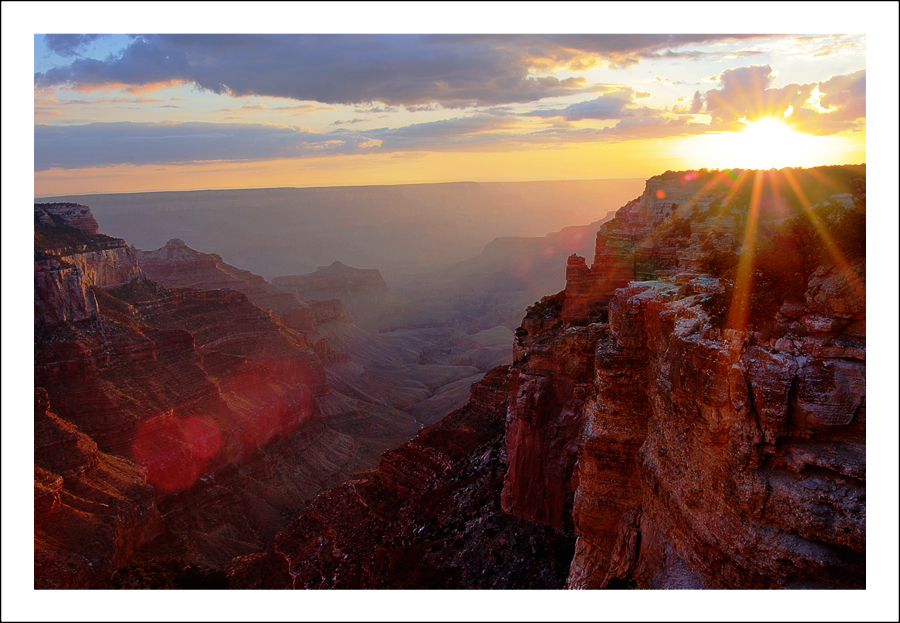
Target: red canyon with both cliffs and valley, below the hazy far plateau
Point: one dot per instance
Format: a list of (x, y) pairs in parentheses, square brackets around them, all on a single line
[(688, 412)]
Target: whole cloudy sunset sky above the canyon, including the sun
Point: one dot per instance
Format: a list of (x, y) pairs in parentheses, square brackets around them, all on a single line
[(116, 112)]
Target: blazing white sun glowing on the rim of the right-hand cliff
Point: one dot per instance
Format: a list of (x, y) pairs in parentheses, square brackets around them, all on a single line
[(762, 144)]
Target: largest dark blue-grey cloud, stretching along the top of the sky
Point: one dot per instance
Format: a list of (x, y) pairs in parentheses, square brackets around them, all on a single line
[(410, 70)]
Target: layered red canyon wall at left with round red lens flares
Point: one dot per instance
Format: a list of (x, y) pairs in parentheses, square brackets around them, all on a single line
[(196, 422)]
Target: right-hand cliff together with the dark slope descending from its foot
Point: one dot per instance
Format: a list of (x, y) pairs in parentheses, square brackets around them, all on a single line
[(692, 406)]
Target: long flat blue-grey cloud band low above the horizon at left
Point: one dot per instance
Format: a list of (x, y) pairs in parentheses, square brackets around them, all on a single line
[(109, 144)]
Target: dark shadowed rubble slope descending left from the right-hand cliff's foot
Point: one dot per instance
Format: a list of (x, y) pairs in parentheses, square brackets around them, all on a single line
[(427, 517)]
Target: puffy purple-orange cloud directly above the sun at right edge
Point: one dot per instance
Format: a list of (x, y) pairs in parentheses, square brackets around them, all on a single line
[(746, 93)]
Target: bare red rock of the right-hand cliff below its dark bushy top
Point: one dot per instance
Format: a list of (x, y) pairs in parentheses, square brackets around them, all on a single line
[(706, 458)]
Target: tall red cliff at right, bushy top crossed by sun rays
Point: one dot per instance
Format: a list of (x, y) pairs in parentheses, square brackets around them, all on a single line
[(694, 401)]
